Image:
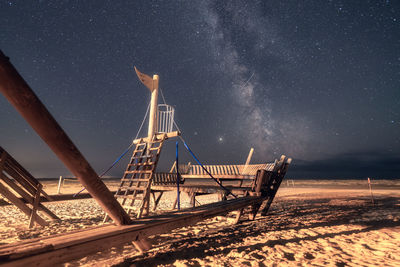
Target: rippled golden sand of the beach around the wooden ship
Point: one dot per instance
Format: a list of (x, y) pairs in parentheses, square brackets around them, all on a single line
[(314, 223)]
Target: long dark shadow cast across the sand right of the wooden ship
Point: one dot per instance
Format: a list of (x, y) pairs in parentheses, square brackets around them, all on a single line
[(284, 215)]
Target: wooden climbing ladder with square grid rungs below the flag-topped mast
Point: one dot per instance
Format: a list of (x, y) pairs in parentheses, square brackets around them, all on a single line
[(136, 182)]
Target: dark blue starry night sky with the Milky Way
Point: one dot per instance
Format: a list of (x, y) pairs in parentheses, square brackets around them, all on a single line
[(318, 81)]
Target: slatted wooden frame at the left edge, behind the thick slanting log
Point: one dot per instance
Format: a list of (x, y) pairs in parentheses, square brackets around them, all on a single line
[(19, 187)]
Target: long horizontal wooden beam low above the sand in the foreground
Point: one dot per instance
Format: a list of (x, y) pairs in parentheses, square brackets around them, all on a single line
[(65, 247)]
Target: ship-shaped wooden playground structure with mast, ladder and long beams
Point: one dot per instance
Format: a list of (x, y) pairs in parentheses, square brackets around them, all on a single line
[(135, 185)]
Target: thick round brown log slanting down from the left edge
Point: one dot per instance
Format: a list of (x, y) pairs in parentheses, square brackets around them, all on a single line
[(21, 96)]
